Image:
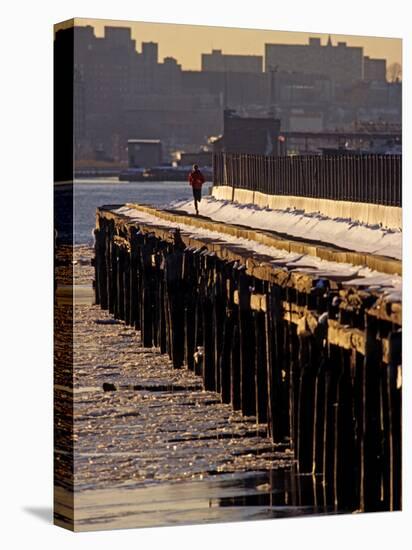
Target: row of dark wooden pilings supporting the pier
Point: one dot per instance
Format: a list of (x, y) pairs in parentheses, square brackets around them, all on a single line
[(338, 409)]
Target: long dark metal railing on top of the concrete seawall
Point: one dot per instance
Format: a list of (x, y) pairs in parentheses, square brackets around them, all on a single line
[(375, 179)]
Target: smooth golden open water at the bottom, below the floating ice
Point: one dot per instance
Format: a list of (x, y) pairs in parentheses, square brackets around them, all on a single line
[(231, 497)]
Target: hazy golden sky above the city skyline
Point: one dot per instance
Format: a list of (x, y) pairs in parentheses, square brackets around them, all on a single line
[(186, 42)]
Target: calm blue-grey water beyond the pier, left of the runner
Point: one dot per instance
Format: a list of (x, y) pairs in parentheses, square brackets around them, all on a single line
[(93, 192)]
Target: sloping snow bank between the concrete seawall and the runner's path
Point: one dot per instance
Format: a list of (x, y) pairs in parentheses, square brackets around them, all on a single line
[(343, 233)]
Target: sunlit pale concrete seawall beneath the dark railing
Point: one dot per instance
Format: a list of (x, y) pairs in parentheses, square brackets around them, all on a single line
[(370, 214)]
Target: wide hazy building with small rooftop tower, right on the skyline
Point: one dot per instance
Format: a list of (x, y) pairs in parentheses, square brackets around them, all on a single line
[(340, 62)]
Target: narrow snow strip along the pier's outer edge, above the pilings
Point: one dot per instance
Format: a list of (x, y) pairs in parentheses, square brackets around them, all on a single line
[(389, 285)]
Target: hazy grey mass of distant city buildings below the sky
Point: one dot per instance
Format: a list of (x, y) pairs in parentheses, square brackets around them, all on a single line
[(120, 92)]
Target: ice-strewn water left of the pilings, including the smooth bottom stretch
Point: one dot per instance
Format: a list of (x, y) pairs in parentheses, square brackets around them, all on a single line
[(150, 446)]
